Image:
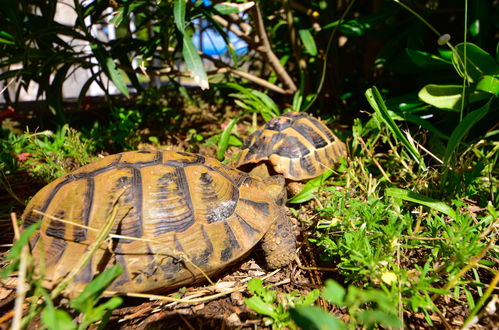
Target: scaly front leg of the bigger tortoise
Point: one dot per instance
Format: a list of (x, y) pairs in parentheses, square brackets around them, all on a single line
[(279, 243)]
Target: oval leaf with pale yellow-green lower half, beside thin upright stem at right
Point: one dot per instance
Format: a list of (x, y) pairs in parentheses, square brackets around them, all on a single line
[(447, 97)]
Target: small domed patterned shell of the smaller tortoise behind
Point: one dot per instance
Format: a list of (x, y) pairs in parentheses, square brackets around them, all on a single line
[(297, 145)]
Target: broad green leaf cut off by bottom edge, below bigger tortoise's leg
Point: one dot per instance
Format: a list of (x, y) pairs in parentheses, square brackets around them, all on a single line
[(314, 318)]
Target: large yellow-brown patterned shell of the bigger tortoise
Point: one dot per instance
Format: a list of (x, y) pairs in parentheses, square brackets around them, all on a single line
[(176, 209)]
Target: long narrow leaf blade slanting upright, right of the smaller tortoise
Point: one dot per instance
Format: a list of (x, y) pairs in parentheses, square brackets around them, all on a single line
[(377, 103)]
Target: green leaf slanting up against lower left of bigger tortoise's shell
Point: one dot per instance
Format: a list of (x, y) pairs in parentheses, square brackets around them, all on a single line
[(92, 292)]
